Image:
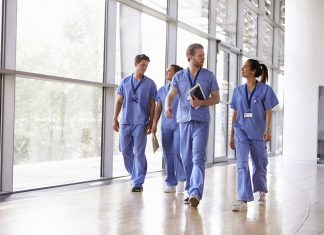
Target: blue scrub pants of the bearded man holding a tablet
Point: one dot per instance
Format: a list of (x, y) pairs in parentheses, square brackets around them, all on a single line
[(193, 143)]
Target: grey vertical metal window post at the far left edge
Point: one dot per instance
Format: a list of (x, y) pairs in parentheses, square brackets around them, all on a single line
[(9, 37)]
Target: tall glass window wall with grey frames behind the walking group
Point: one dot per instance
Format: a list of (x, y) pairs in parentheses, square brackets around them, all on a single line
[(59, 123)]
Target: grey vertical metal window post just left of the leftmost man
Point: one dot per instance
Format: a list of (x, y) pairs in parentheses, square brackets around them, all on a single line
[(108, 92)]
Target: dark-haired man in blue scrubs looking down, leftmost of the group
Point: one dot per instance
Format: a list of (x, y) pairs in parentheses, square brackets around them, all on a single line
[(135, 95)]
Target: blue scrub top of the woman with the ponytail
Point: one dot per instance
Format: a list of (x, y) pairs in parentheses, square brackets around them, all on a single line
[(262, 100)]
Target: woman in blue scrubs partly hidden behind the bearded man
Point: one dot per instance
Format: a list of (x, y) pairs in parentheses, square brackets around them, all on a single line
[(175, 179)]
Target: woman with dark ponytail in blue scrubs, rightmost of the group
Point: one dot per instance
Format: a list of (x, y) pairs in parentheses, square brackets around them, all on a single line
[(251, 129)]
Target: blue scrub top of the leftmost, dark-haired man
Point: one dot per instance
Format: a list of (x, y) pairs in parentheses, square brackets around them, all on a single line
[(136, 108)]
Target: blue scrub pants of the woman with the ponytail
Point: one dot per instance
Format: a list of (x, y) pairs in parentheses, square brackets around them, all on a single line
[(258, 151)]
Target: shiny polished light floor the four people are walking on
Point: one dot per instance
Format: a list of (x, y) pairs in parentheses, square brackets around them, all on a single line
[(295, 205)]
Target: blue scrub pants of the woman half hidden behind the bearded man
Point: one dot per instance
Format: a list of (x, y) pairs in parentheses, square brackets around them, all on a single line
[(171, 155)]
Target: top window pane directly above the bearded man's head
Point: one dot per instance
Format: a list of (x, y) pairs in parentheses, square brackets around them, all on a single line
[(194, 12)]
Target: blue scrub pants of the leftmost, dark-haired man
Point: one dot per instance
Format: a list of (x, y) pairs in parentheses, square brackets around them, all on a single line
[(132, 142)]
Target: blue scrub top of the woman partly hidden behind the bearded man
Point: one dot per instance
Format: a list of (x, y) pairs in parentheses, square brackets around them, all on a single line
[(167, 123)]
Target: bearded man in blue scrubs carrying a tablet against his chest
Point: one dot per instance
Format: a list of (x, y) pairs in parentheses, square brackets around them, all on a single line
[(193, 118)]
